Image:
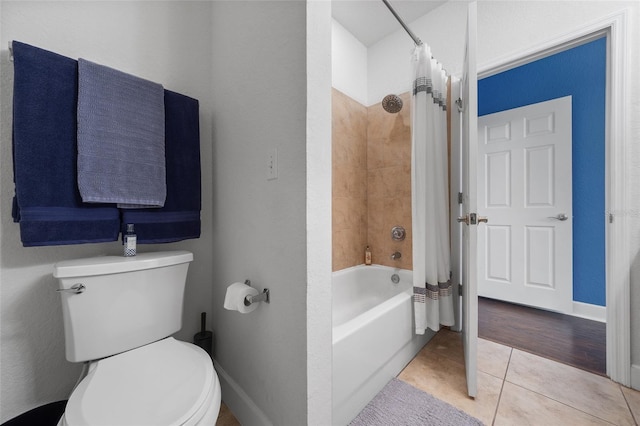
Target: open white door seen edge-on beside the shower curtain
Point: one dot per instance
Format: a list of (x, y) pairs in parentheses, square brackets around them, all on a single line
[(469, 95)]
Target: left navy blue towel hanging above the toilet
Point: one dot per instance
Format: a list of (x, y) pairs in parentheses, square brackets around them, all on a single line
[(47, 202)]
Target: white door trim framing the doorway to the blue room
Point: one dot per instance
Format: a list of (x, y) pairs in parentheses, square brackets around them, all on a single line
[(617, 243)]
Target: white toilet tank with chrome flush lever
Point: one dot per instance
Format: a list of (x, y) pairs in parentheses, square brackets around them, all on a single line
[(127, 301)]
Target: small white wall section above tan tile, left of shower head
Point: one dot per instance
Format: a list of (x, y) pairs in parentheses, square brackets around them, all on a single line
[(349, 64)]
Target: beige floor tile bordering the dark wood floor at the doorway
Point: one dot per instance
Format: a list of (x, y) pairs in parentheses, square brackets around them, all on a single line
[(584, 391)]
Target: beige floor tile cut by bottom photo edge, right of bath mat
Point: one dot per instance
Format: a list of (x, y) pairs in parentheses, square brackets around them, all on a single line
[(519, 406)]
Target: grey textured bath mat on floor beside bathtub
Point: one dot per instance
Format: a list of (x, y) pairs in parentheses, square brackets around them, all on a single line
[(401, 404)]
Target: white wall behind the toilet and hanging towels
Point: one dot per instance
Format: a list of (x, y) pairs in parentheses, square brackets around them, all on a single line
[(166, 42)]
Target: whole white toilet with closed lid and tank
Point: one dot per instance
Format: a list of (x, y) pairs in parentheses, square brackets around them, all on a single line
[(118, 315)]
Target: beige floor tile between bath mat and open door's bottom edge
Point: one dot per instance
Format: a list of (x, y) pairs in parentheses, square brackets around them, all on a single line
[(445, 379)]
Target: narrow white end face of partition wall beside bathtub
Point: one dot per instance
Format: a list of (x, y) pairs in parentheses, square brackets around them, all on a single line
[(319, 246)]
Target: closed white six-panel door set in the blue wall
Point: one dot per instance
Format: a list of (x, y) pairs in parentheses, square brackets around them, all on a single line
[(524, 187)]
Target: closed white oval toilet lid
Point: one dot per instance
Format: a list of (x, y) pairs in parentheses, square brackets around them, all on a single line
[(163, 383)]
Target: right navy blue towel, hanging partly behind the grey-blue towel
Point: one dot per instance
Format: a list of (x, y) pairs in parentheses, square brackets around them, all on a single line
[(179, 219)]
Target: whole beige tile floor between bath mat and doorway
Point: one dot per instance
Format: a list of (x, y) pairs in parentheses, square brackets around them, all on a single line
[(515, 387)]
